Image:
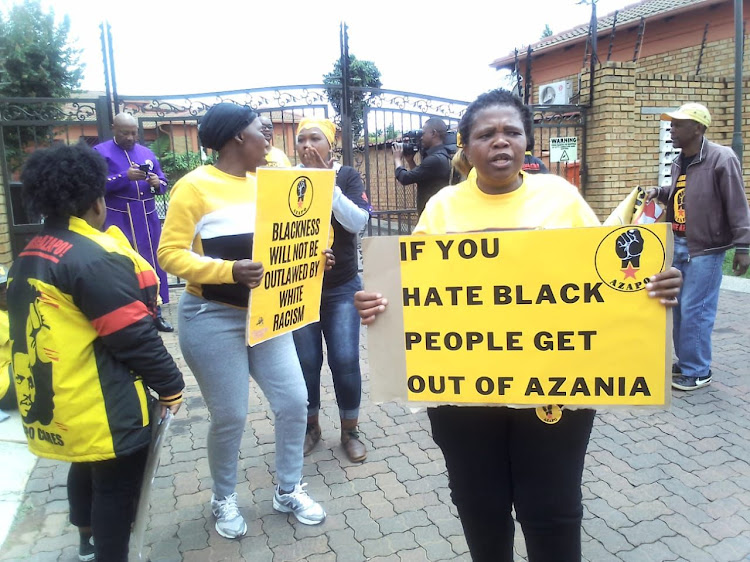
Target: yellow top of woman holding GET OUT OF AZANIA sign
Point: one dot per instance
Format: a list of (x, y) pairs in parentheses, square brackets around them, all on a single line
[(543, 200)]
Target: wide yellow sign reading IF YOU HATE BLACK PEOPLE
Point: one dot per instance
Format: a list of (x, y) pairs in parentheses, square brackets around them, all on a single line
[(525, 317)]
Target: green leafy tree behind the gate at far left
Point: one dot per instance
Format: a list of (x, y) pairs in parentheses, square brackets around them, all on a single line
[(36, 60)]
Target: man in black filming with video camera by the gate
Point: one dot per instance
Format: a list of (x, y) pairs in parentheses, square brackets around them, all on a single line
[(434, 171)]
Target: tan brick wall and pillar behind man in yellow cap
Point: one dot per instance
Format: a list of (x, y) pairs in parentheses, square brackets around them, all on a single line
[(623, 131)]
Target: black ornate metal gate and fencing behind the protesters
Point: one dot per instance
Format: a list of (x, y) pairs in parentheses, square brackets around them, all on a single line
[(169, 126)]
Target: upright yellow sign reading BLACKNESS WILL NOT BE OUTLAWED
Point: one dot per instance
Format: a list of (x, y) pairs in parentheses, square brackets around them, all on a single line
[(291, 231)]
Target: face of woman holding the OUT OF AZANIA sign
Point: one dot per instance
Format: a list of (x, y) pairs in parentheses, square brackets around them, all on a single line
[(496, 147)]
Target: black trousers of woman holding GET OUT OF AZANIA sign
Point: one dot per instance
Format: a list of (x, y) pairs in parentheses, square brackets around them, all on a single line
[(498, 458)]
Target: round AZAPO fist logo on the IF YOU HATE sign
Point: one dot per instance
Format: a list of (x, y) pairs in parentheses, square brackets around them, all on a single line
[(626, 256)]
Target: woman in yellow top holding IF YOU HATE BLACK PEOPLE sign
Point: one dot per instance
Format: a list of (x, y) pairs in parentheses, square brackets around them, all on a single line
[(499, 458)]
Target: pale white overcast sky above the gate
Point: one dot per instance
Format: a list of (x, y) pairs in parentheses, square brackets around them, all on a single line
[(438, 48)]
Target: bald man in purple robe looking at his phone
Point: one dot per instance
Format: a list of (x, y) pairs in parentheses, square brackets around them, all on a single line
[(134, 178)]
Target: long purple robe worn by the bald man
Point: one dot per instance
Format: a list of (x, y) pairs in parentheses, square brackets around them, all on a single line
[(130, 204)]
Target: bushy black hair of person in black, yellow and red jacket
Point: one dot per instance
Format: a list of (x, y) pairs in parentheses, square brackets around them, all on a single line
[(63, 181)]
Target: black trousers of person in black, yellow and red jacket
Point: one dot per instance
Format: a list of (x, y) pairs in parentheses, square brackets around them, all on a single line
[(103, 495)]
